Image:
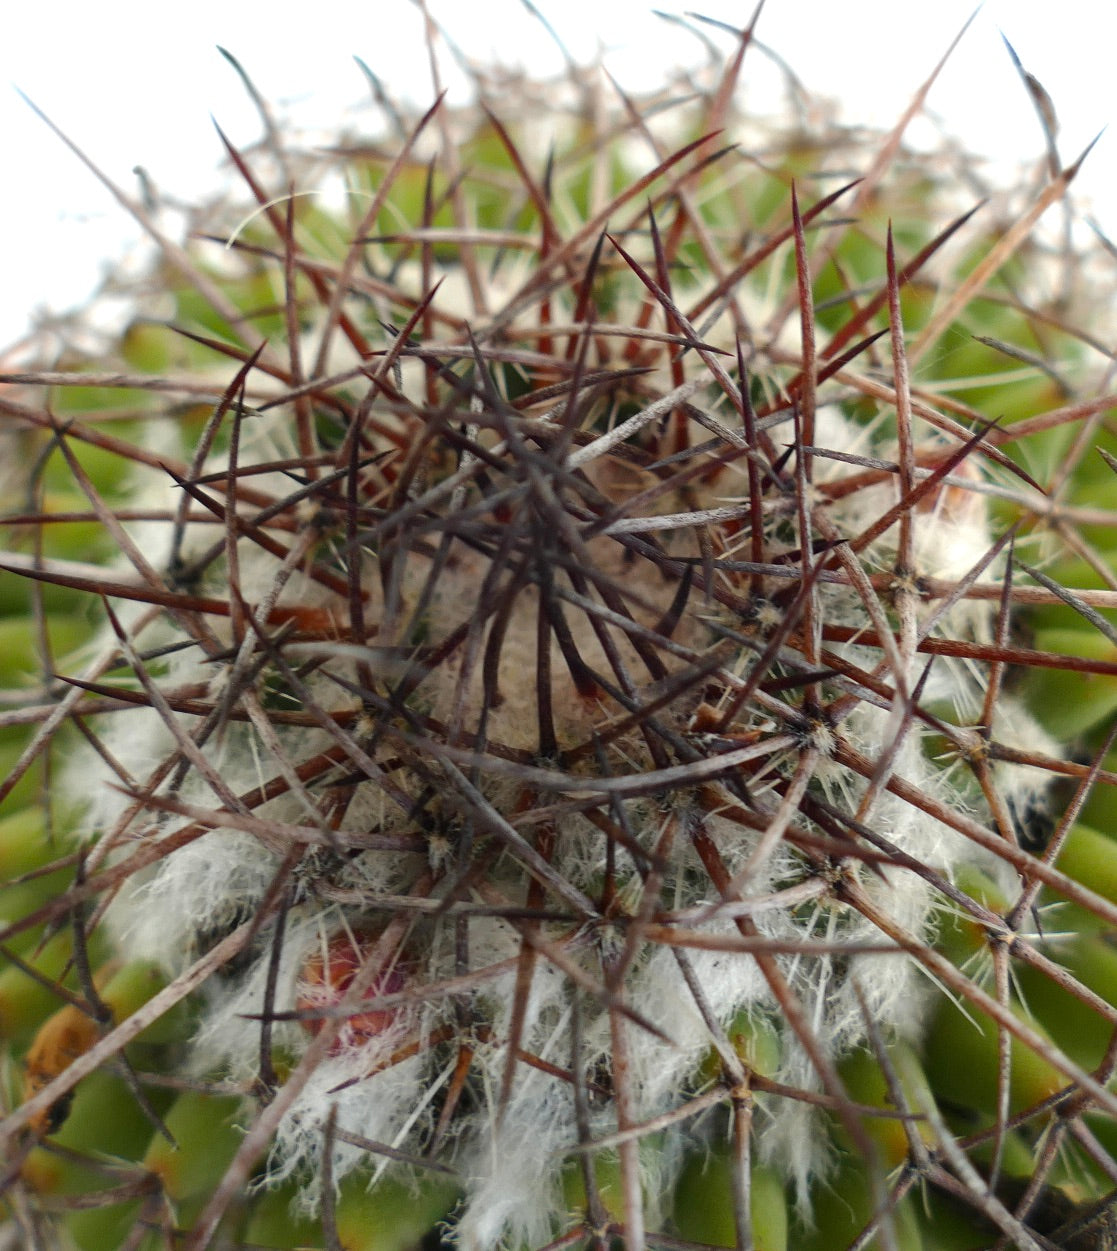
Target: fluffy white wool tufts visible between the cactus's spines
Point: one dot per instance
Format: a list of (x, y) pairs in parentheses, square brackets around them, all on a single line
[(510, 1158)]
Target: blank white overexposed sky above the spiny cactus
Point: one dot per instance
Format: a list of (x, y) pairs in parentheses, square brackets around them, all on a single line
[(136, 84)]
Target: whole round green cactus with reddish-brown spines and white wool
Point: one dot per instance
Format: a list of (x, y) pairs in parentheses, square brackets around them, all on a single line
[(566, 704)]
